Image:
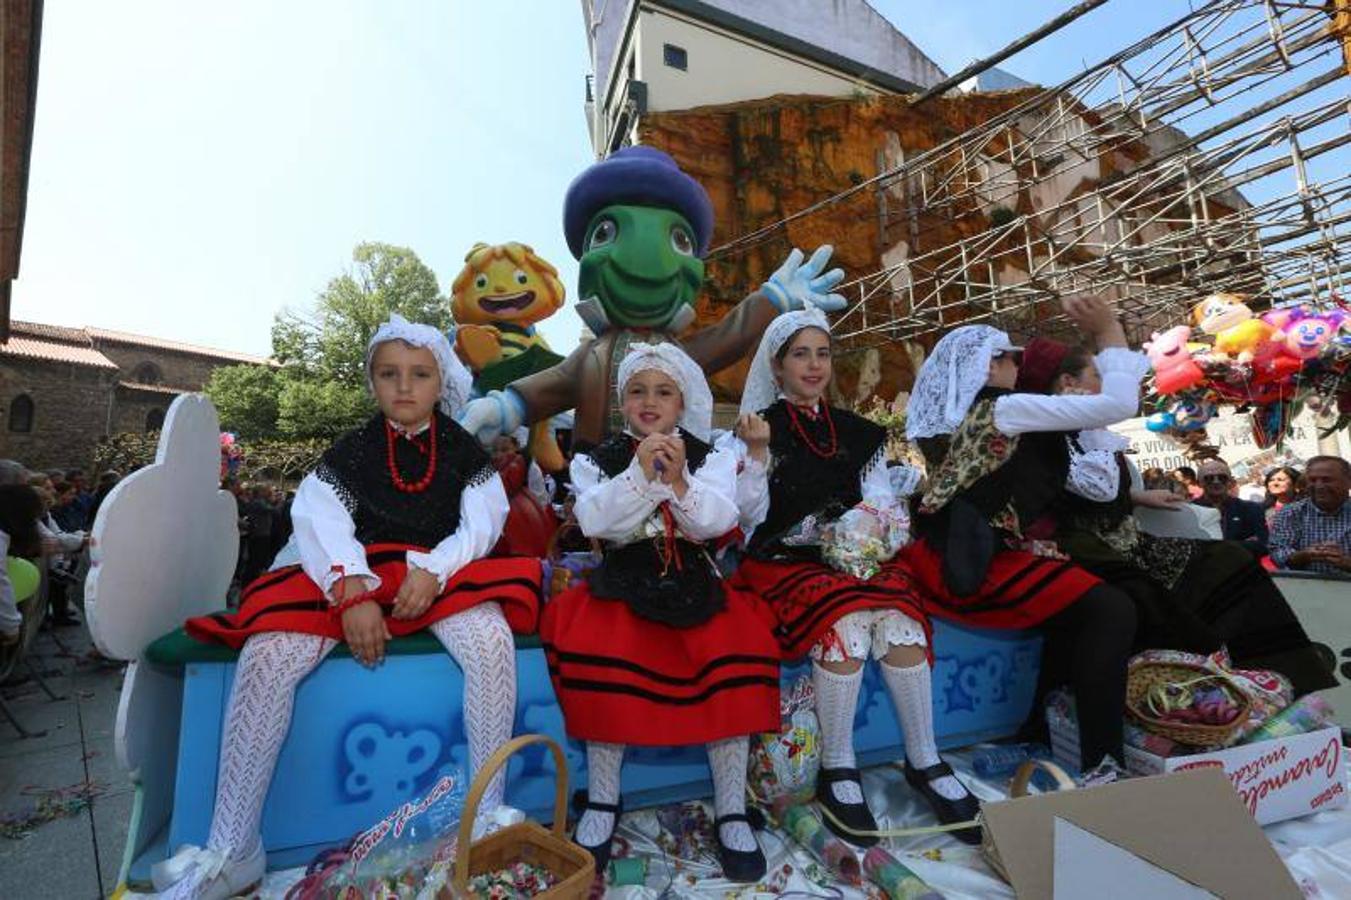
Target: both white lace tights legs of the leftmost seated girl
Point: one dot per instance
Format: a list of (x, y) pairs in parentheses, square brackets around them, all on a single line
[(274, 664)]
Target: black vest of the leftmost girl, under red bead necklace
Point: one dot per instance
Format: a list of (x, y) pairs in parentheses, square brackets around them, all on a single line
[(357, 468)]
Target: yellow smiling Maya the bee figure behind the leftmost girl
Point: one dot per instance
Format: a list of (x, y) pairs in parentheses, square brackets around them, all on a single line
[(496, 301)]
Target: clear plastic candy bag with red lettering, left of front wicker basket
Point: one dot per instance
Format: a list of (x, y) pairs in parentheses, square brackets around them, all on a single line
[(406, 856)]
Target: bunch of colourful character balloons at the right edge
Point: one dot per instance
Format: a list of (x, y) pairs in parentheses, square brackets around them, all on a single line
[(1269, 366)]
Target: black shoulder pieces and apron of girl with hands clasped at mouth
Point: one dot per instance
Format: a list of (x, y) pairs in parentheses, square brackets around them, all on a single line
[(678, 586)]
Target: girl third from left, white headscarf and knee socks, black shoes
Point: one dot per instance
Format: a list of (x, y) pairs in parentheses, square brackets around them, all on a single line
[(810, 464)]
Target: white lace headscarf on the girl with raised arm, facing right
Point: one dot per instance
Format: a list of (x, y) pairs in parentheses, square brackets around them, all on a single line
[(950, 379)]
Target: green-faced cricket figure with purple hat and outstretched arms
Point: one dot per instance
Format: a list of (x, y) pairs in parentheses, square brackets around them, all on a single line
[(640, 228)]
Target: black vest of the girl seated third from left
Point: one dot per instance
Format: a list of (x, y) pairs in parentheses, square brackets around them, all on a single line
[(802, 483)]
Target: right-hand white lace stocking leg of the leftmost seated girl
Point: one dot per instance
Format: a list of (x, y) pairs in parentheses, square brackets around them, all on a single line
[(482, 644)]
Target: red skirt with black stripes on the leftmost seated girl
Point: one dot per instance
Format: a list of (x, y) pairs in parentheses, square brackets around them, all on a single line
[(288, 601)]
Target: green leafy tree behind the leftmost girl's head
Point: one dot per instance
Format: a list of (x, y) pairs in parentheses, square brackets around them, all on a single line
[(320, 391)]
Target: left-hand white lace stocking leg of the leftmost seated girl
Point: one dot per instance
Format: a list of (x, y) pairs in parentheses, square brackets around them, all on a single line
[(257, 721)]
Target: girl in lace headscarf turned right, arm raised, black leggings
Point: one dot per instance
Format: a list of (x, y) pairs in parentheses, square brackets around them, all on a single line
[(998, 460)]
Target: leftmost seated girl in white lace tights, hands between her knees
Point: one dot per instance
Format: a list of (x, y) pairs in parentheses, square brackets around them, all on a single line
[(392, 530)]
